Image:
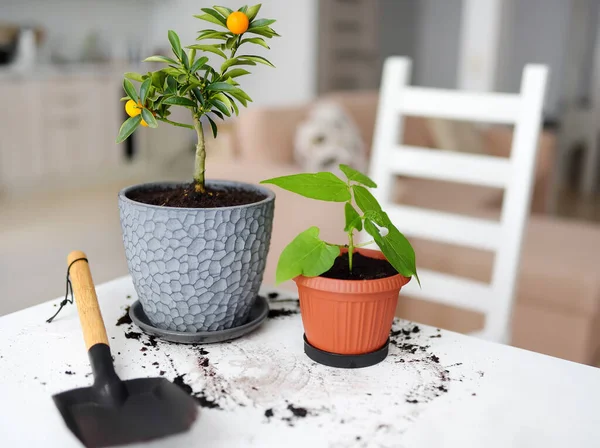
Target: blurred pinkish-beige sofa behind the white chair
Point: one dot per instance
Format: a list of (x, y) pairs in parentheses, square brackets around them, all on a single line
[(557, 309)]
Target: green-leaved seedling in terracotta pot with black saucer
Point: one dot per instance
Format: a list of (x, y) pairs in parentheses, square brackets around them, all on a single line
[(348, 294)]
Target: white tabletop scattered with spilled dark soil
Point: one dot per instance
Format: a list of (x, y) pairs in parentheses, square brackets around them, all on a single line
[(479, 394)]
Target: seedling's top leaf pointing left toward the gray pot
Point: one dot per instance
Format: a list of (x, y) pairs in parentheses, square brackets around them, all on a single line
[(323, 186)]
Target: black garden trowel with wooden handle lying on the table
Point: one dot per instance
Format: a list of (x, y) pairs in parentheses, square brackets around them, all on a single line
[(114, 412)]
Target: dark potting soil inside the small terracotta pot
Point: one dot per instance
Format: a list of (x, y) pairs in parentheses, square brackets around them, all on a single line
[(363, 268)]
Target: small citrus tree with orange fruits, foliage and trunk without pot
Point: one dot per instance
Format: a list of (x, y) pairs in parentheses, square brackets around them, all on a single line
[(190, 81)]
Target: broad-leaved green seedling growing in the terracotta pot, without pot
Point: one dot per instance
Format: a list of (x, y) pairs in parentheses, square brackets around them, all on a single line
[(310, 256)]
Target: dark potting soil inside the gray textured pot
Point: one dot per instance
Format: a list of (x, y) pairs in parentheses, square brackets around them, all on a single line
[(188, 198)]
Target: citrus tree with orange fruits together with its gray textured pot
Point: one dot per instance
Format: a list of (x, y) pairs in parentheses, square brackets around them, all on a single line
[(197, 251)]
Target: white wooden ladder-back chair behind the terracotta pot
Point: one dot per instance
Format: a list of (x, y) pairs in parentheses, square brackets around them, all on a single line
[(514, 174)]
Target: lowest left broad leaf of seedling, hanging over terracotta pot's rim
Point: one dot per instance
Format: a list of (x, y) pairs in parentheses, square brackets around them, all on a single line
[(306, 255)]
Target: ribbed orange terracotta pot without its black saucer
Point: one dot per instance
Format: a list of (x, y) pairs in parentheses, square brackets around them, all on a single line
[(349, 317)]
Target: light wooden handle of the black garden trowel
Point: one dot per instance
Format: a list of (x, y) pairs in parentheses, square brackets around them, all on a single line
[(90, 317)]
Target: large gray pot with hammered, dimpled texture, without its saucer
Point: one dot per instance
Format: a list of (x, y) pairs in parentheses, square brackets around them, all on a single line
[(197, 269)]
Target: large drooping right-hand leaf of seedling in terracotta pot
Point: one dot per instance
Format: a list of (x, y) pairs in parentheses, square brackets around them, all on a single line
[(394, 245)]
